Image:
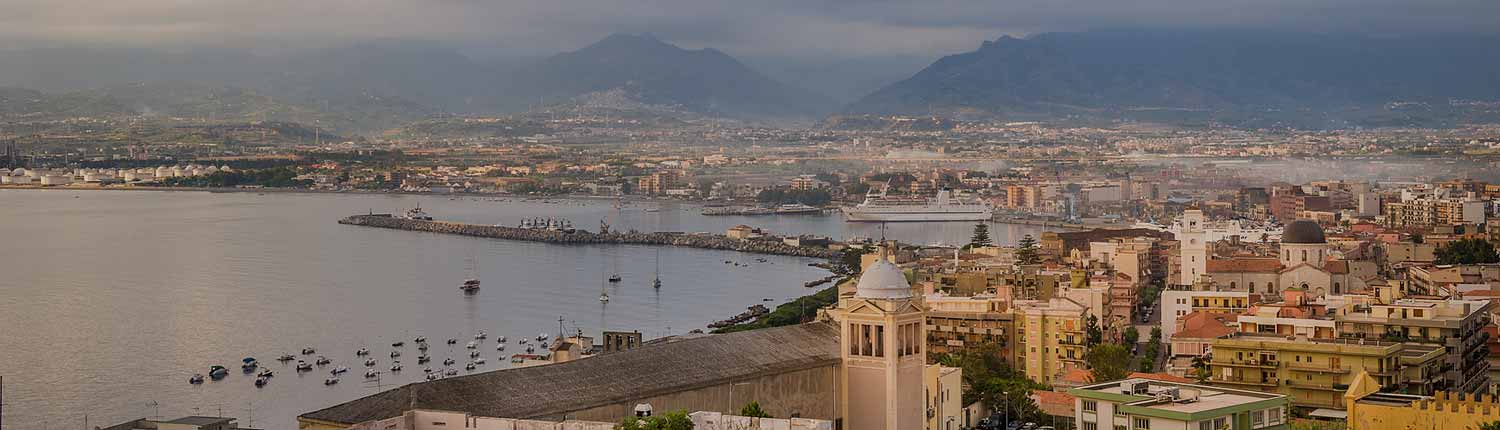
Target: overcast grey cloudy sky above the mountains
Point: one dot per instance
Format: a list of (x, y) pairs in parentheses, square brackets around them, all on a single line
[(796, 29)]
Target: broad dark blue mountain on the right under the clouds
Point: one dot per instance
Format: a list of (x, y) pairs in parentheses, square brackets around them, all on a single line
[(1196, 76)]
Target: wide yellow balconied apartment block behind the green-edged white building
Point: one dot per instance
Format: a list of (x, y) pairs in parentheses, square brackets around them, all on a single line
[(1315, 372)]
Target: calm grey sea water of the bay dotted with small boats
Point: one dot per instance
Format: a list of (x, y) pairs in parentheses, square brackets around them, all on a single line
[(112, 300)]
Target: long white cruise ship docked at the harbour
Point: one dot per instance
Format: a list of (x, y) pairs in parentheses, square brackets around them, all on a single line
[(917, 209)]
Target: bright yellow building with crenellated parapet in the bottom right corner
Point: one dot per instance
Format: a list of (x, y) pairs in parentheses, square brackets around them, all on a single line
[(1370, 410)]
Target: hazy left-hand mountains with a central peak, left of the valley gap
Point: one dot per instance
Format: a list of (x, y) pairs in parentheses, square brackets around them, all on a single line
[(377, 86)]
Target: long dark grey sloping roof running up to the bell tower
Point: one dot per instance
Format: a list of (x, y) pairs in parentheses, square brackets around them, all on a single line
[(607, 380)]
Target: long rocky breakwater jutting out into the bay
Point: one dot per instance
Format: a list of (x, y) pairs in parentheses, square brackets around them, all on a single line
[(586, 237)]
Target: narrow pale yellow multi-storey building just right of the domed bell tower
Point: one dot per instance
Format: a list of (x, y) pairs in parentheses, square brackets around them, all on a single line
[(1051, 338)]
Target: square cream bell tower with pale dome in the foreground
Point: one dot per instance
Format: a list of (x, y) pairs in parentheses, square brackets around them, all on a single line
[(884, 350)]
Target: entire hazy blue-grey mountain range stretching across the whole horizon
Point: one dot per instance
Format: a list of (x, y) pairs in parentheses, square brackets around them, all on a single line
[(1241, 79)]
